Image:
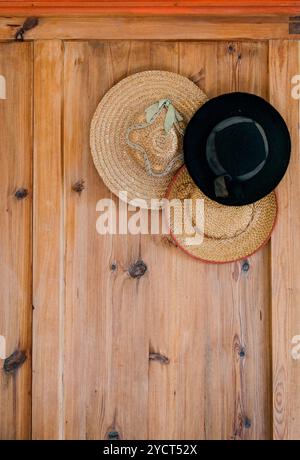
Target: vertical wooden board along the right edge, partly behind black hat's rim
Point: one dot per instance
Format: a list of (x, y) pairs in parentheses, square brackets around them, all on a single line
[(284, 64)]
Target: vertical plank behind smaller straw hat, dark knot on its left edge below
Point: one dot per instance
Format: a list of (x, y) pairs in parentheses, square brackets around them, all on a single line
[(172, 308)]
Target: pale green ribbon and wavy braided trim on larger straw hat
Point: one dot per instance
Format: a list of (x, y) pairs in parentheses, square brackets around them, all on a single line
[(172, 118)]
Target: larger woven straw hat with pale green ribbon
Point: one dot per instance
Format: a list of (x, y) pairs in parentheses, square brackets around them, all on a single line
[(137, 133)]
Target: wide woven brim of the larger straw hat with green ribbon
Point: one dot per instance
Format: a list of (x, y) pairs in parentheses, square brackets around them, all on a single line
[(117, 110)]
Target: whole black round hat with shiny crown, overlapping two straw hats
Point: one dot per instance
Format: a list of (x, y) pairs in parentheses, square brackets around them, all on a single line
[(237, 148)]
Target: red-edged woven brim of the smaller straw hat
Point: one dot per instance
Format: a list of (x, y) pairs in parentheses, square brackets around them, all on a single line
[(224, 250)]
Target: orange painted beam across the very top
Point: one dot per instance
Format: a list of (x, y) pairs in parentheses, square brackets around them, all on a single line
[(167, 7)]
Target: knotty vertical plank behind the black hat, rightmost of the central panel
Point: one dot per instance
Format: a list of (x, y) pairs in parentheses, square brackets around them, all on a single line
[(247, 64)]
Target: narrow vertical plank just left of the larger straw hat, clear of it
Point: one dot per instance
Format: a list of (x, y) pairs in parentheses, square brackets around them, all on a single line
[(77, 337)]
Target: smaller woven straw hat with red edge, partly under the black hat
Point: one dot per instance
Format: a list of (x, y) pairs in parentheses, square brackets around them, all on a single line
[(229, 233)]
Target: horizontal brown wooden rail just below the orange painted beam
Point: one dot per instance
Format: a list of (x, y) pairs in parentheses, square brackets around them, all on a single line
[(149, 27)]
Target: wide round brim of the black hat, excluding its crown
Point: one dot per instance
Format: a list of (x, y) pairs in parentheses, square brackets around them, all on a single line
[(230, 105)]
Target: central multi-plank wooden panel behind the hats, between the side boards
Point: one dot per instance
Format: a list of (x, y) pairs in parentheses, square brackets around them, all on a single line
[(113, 322)]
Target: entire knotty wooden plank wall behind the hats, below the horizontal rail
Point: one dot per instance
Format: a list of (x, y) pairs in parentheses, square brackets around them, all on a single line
[(189, 350)]
